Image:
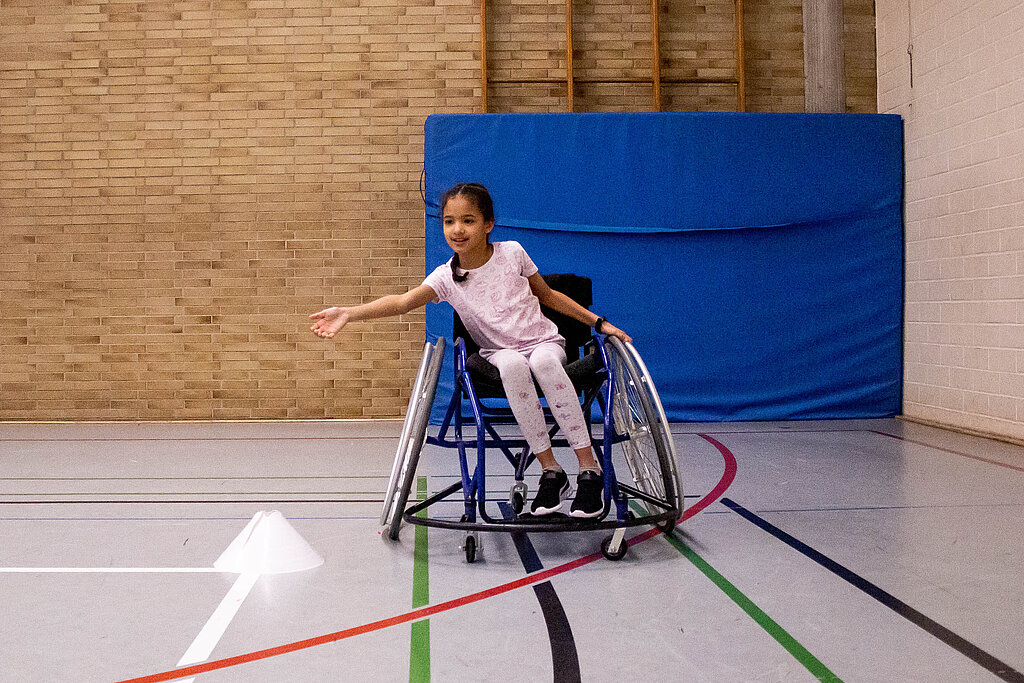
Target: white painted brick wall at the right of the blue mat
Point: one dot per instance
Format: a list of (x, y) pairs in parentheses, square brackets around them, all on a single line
[(964, 120)]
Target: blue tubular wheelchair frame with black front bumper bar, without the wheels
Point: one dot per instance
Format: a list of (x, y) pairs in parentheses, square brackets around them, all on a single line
[(474, 485)]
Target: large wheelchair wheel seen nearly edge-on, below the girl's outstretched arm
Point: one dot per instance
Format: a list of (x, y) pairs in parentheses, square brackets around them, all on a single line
[(414, 433)]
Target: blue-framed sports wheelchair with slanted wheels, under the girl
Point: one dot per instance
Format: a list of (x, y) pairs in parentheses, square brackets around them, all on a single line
[(604, 370)]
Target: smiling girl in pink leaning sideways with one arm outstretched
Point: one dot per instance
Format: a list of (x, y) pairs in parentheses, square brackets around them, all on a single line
[(498, 292)]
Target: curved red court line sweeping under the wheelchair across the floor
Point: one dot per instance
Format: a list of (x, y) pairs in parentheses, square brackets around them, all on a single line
[(728, 478)]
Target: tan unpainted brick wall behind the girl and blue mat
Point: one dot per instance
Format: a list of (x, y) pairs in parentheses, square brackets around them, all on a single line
[(182, 183)]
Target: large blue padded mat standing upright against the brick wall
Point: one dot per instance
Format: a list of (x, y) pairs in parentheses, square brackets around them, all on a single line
[(757, 260)]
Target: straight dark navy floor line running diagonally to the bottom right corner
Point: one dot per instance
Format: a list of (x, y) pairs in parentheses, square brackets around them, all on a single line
[(965, 648)]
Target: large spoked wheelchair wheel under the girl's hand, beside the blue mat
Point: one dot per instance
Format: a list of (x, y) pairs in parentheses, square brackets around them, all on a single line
[(637, 413)]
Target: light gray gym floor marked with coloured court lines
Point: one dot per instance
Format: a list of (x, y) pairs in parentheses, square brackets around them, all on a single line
[(859, 551)]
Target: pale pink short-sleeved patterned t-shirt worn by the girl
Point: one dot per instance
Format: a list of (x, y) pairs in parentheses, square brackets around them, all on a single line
[(496, 303)]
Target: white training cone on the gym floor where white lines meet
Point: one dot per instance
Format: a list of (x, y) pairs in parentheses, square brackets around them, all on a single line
[(269, 545)]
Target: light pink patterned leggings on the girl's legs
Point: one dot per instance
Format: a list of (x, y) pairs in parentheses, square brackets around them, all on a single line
[(544, 363)]
